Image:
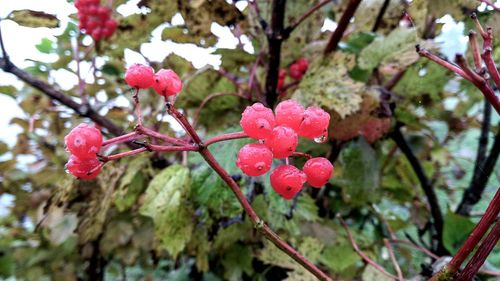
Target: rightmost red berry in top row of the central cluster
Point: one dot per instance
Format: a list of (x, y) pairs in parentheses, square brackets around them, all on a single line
[(315, 123)]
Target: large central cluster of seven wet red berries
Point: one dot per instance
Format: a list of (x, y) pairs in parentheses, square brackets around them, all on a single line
[(278, 138)]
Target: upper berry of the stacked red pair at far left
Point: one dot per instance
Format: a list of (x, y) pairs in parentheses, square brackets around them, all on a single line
[(84, 141)]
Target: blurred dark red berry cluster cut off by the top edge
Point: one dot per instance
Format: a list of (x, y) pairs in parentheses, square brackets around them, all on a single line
[(95, 19)]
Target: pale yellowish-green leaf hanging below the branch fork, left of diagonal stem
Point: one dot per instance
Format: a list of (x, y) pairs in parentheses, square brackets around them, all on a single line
[(166, 203)]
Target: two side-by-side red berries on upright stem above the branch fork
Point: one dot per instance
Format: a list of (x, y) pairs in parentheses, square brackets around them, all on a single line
[(165, 82)]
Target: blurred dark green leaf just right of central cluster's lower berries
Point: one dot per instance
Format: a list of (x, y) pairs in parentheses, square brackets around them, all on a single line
[(360, 176)]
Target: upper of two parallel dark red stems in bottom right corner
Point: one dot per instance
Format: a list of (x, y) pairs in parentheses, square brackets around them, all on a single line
[(477, 233)]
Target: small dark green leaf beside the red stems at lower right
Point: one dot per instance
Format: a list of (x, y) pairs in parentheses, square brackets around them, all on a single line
[(456, 229)]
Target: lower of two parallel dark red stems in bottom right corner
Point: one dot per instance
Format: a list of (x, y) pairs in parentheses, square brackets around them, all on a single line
[(481, 254)]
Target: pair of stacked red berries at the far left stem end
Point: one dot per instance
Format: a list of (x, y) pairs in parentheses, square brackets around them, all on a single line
[(83, 143)]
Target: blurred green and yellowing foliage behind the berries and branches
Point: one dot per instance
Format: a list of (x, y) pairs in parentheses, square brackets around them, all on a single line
[(169, 217)]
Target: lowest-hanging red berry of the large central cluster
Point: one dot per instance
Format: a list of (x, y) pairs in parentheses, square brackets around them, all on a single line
[(287, 181)]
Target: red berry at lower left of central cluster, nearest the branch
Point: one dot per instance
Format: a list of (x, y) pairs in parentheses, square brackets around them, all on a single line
[(254, 159)]
